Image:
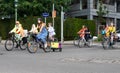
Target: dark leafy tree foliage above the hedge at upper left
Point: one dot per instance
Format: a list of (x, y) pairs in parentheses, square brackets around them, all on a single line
[(32, 7)]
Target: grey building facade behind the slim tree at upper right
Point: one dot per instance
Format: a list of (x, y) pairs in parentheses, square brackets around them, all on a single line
[(87, 9)]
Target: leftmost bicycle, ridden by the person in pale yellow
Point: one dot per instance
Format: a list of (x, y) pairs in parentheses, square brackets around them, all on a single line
[(12, 41)]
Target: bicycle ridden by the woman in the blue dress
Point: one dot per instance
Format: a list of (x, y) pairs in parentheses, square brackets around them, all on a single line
[(33, 44)]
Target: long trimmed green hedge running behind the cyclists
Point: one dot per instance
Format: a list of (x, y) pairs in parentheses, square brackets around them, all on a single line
[(71, 26)]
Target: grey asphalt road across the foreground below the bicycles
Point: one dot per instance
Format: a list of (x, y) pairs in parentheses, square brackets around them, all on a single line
[(71, 60)]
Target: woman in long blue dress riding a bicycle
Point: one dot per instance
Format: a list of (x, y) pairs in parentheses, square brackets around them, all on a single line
[(42, 34)]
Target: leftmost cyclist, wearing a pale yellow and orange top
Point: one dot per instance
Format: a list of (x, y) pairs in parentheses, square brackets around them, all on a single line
[(19, 33)]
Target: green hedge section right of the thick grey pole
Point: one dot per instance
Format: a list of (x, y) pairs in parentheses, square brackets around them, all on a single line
[(73, 25)]
